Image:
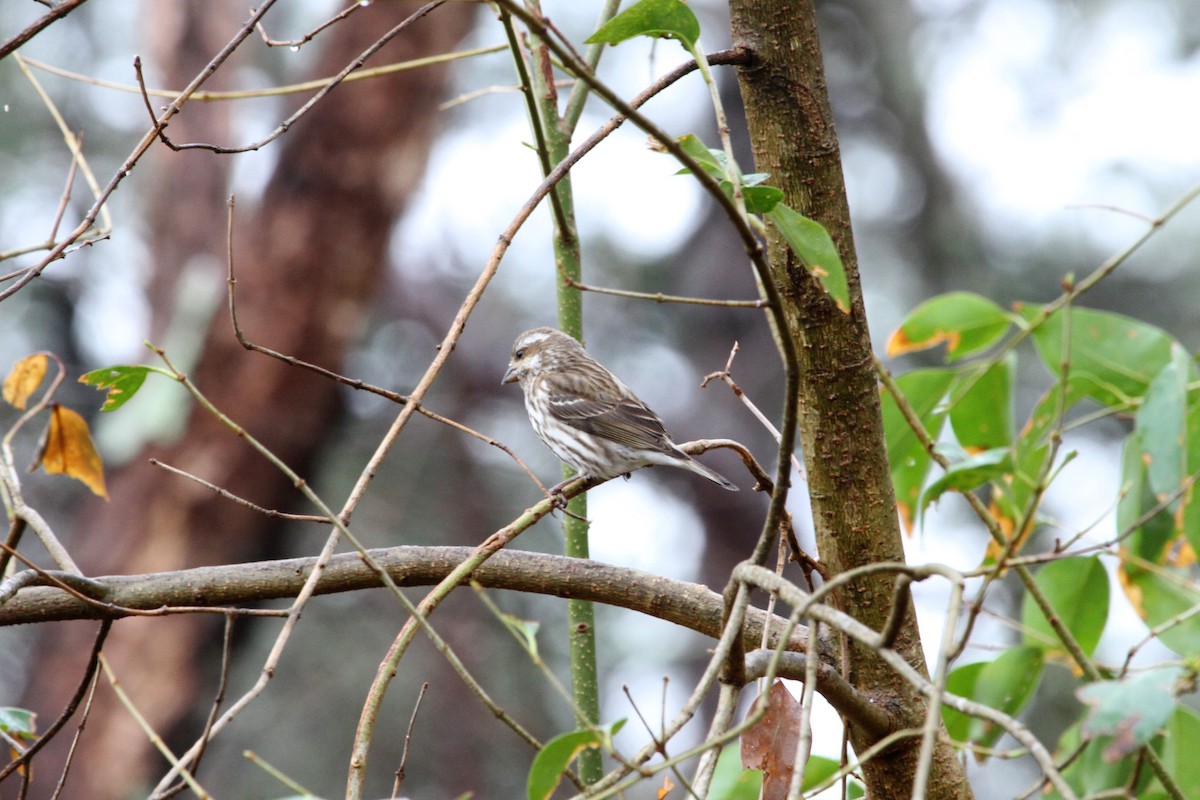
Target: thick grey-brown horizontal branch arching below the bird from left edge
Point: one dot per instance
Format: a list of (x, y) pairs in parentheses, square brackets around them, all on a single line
[(685, 604)]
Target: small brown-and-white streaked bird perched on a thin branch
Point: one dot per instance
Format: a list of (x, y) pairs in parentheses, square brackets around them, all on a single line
[(587, 416)]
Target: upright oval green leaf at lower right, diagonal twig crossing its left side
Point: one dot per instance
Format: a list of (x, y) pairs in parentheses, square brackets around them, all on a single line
[(1078, 591)]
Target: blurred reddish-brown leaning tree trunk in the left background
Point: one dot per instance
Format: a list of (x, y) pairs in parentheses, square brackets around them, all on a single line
[(311, 261)]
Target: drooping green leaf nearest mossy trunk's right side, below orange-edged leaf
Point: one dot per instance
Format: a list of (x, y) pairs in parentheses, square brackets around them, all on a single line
[(908, 459)]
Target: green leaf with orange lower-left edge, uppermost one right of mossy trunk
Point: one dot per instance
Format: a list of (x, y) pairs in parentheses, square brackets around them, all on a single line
[(965, 322)]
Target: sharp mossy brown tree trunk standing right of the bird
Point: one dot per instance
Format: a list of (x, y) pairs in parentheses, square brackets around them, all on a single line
[(842, 431)]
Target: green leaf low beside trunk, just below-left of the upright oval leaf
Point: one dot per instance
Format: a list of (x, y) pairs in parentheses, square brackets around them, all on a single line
[(1006, 684)]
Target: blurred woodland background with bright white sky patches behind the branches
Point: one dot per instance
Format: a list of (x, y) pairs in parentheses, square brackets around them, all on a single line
[(989, 146)]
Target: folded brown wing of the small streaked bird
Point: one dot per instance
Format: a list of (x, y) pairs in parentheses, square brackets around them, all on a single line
[(591, 400)]
